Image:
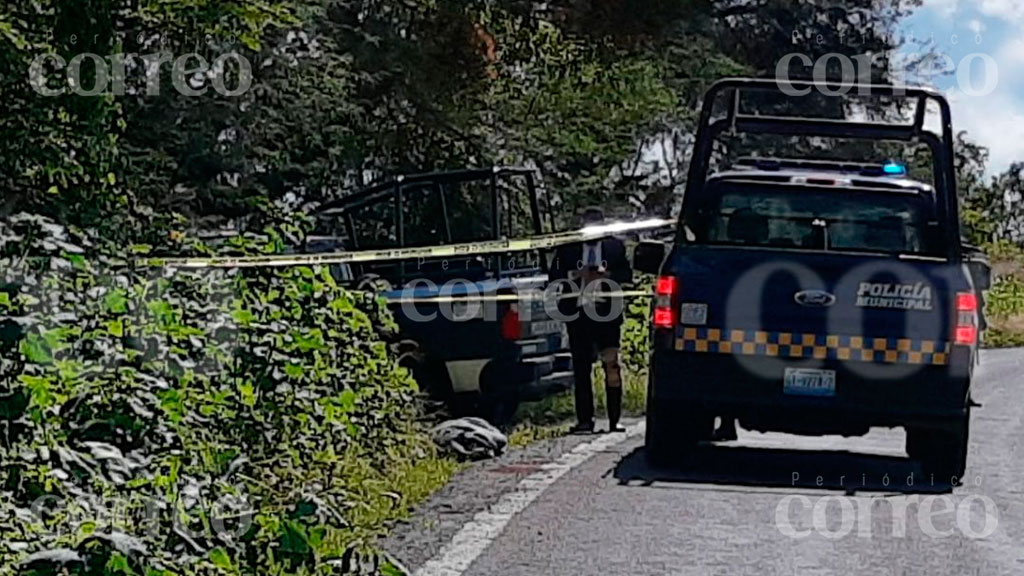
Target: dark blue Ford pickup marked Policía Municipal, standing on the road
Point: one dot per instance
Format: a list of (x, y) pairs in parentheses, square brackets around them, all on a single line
[(816, 297)]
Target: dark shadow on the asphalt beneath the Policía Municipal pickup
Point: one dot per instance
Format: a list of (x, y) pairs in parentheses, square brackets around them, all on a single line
[(815, 470)]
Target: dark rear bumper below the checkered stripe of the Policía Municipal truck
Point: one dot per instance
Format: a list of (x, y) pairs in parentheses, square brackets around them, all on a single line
[(867, 395)]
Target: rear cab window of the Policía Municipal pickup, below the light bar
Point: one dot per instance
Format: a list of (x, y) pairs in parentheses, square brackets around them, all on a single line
[(821, 219)]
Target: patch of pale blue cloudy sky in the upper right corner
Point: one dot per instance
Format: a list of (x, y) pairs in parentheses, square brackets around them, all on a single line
[(987, 90)]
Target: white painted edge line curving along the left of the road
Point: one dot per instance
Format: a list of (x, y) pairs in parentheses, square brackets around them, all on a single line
[(477, 536)]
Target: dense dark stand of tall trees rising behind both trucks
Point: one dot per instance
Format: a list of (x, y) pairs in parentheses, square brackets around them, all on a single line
[(602, 96)]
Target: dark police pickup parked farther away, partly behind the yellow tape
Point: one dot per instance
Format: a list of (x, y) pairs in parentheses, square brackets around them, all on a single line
[(474, 326)]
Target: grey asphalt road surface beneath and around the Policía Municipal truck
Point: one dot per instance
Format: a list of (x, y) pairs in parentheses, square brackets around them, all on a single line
[(743, 510)]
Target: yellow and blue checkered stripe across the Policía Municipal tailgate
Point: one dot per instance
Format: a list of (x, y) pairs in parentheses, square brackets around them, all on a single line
[(814, 347)]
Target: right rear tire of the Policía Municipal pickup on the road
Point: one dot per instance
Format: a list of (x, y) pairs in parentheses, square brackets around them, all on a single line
[(943, 451)]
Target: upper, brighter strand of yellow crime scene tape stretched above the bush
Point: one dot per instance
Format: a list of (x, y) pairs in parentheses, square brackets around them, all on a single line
[(391, 255)]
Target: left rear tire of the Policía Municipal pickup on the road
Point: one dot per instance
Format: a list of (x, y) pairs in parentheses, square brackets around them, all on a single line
[(674, 431)]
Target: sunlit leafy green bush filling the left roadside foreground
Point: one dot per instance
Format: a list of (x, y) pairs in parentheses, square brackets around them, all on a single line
[(241, 423)]
